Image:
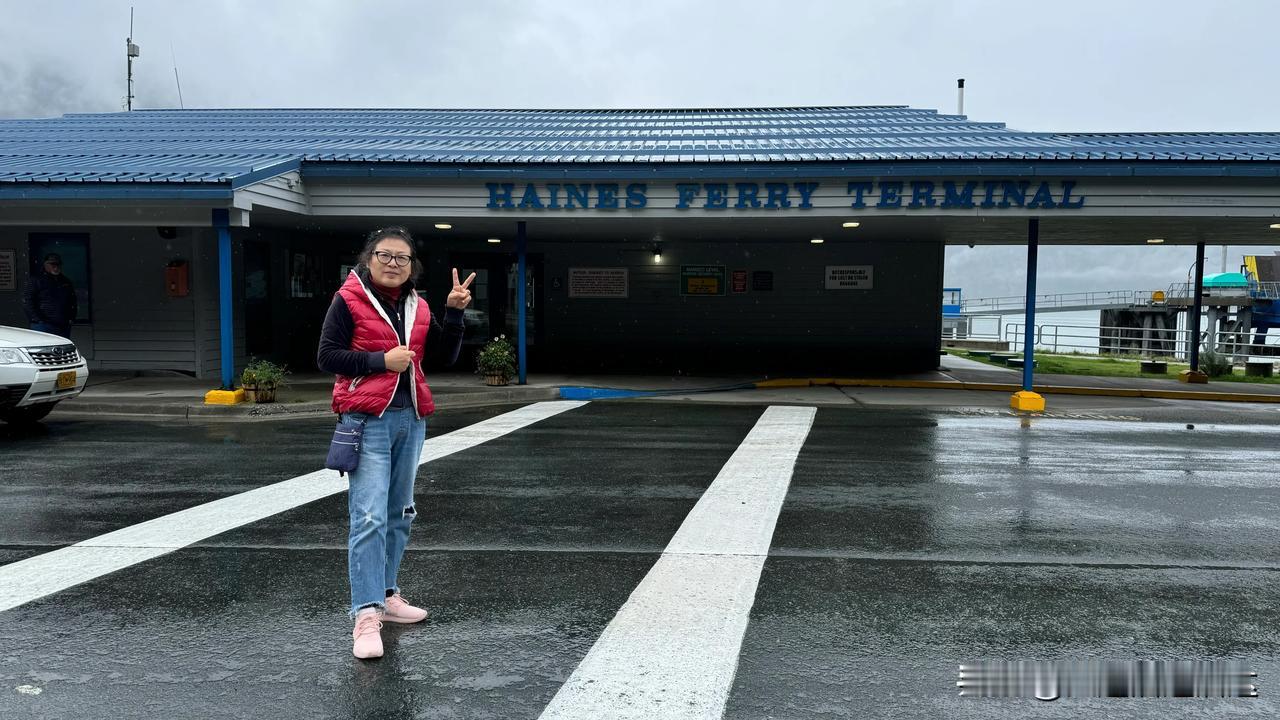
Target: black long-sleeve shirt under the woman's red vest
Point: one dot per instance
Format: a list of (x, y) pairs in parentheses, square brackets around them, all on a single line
[(335, 356)]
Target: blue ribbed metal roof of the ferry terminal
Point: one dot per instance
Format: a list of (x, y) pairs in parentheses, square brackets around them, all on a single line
[(234, 147)]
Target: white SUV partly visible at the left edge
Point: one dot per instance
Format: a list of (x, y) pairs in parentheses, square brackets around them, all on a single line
[(36, 372)]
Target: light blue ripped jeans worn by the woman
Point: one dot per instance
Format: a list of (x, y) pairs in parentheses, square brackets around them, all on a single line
[(381, 504)]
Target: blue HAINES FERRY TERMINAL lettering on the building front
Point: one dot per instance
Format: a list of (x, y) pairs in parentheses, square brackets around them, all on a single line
[(877, 195)]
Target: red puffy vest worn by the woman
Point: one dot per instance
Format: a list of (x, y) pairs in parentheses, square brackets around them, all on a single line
[(376, 334)]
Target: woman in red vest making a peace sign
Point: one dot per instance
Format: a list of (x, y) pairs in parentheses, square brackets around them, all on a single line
[(374, 340)]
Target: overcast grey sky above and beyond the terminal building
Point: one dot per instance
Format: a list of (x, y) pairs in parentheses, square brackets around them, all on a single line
[(1084, 66)]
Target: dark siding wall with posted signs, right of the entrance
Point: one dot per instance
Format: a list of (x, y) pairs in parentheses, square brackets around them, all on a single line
[(799, 326)]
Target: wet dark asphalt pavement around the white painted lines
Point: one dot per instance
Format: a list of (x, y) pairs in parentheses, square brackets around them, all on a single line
[(911, 541)]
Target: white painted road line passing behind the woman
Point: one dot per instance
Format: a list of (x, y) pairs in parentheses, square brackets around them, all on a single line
[(44, 575)]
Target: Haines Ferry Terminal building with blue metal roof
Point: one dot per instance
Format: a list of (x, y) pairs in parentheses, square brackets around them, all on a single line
[(769, 241)]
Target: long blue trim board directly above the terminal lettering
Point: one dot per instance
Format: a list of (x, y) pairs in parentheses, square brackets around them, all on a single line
[(813, 170)]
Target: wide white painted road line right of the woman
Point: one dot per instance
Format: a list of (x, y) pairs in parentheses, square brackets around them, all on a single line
[(671, 653)]
